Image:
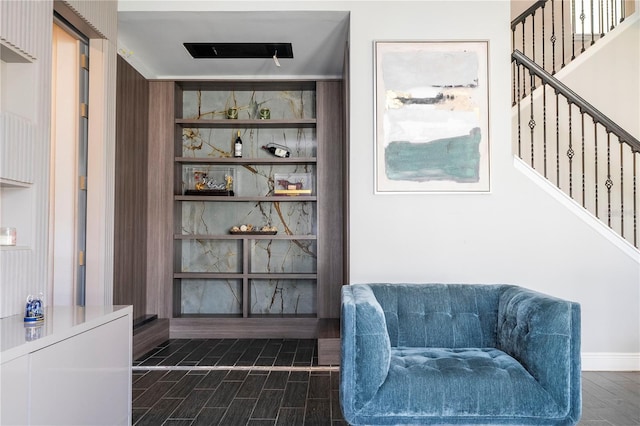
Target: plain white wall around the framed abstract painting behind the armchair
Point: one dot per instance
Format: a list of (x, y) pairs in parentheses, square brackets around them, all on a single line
[(519, 233)]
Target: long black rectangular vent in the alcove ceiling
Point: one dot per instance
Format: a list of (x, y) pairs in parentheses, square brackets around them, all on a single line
[(239, 50)]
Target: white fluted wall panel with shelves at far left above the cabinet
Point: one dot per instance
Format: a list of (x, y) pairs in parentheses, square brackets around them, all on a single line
[(26, 113)]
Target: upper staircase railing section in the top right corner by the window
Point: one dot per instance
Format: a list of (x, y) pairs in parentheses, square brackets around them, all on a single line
[(553, 32)]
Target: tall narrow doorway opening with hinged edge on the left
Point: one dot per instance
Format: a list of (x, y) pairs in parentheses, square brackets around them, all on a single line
[(69, 146)]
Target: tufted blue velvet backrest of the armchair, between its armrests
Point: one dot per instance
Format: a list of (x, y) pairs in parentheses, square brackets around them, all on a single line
[(440, 315)]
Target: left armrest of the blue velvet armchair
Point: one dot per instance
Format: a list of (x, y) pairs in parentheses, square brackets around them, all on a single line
[(365, 347)]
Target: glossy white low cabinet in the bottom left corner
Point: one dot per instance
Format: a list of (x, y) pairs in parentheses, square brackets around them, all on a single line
[(76, 370)]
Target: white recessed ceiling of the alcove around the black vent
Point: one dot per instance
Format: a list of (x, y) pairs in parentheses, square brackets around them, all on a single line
[(152, 42)]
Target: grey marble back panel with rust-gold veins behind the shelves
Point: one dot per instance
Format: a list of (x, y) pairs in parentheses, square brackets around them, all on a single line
[(266, 296)]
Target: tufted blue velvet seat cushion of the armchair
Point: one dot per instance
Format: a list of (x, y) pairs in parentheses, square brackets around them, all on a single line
[(493, 384)]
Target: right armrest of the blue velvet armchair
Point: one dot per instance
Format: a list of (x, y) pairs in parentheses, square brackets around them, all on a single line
[(543, 334)]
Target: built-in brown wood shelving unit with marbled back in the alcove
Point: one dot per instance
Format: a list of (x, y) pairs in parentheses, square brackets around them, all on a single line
[(227, 284)]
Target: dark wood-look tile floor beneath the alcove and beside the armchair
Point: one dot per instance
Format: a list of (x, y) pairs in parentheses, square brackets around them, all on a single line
[(278, 382)]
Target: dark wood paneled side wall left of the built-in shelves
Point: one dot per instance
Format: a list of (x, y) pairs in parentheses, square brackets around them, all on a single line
[(131, 191)]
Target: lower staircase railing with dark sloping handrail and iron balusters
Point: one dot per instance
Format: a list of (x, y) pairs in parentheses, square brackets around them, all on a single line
[(578, 148)]
